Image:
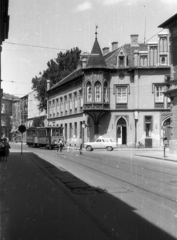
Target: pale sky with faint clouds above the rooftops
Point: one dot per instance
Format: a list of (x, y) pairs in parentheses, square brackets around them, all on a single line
[(40, 29)]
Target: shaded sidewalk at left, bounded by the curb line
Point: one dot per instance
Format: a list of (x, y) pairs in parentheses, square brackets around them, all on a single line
[(33, 206)]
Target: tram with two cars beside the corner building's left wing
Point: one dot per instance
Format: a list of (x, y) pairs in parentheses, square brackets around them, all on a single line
[(47, 137)]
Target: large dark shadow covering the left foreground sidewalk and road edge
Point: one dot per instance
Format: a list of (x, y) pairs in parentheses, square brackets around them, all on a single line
[(113, 217)]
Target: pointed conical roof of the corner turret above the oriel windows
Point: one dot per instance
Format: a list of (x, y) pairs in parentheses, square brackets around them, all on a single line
[(96, 59)]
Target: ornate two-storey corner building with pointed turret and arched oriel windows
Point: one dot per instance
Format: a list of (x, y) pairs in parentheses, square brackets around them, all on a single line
[(117, 94)]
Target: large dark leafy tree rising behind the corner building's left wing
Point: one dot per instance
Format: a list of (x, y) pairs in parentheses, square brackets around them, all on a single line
[(57, 69)]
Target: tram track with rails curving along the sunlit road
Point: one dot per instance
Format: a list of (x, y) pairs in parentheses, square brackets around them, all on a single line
[(135, 185)]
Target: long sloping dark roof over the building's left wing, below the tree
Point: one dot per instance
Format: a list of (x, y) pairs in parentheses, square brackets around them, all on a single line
[(75, 74)]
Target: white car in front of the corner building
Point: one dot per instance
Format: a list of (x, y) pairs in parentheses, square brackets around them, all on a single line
[(101, 142)]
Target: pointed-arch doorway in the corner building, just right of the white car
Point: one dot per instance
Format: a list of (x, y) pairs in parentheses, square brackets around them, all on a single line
[(121, 131)]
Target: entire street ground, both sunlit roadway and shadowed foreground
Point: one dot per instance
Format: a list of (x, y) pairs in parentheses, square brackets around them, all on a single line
[(116, 195)]
